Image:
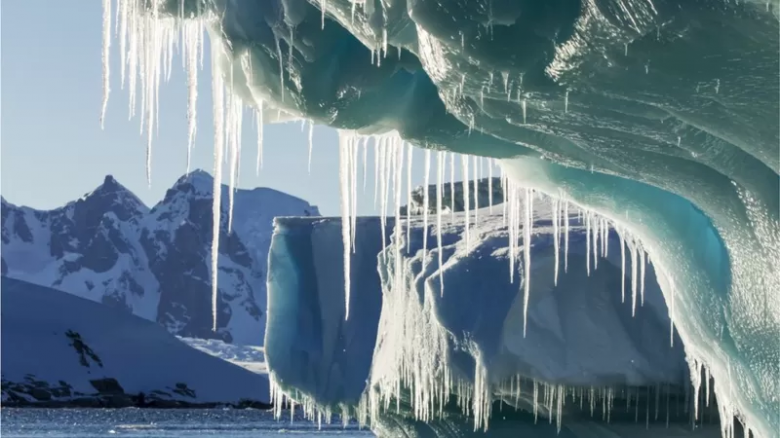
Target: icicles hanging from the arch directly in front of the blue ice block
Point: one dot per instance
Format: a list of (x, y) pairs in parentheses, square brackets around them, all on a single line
[(393, 164)]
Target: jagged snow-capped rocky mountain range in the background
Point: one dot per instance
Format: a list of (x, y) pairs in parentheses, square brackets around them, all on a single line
[(109, 247)]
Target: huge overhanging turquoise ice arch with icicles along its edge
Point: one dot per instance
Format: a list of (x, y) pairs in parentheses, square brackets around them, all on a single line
[(660, 116)]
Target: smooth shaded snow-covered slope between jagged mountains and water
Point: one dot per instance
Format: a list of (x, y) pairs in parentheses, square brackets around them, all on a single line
[(68, 342)]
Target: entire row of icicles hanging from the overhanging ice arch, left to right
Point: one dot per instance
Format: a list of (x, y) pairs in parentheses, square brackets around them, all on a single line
[(148, 42)]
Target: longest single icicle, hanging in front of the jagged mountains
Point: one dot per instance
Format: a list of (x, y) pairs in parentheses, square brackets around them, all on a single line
[(217, 89)]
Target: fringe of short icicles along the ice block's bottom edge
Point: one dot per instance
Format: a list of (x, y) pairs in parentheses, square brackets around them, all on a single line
[(658, 405)]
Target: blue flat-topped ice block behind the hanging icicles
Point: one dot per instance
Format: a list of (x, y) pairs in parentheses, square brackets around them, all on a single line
[(409, 346)]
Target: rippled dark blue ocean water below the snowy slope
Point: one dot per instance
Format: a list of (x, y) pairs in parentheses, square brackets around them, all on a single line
[(132, 422)]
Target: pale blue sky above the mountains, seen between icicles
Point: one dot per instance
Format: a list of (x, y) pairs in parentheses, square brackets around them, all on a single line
[(53, 150)]
